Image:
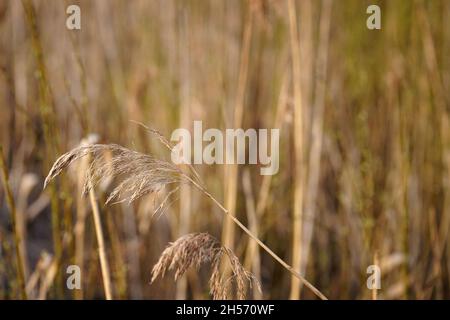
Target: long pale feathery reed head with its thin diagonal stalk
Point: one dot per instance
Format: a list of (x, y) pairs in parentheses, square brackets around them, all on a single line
[(145, 175)]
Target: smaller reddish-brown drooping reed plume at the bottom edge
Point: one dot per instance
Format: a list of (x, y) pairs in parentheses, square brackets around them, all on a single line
[(196, 249)]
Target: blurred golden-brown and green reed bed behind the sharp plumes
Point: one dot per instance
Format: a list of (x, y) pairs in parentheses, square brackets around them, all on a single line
[(374, 144)]
